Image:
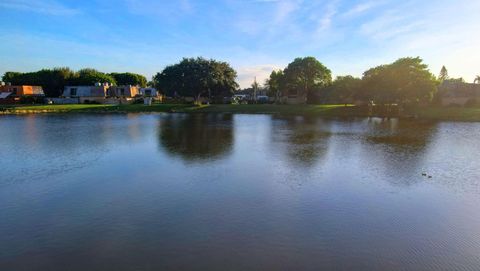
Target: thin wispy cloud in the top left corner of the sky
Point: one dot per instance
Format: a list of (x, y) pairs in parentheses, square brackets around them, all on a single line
[(39, 6)]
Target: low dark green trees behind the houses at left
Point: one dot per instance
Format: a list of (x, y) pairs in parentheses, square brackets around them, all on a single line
[(54, 80)]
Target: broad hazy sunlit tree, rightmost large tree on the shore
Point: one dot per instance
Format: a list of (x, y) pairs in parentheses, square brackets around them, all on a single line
[(405, 81)]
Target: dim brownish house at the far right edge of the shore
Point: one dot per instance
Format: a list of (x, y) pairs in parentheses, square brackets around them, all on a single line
[(454, 92)]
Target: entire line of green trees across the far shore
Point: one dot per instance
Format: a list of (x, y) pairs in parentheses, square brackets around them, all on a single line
[(405, 81)]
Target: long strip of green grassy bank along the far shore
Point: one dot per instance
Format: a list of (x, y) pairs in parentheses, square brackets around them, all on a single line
[(465, 114)]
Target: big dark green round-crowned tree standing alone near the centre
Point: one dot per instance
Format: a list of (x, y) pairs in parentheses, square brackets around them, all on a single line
[(197, 77)]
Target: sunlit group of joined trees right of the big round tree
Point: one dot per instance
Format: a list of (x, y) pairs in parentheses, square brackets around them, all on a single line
[(405, 81)]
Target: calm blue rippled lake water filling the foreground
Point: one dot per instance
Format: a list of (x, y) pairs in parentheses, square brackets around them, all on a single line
[(237, 192)]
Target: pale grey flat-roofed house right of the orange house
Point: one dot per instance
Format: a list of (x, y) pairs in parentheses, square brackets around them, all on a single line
[(86, 94)]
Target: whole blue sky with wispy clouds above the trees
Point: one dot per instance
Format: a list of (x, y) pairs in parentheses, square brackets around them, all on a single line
[(255, 36)]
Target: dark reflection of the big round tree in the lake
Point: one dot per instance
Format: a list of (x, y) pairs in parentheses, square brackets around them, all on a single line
[(197, 137)]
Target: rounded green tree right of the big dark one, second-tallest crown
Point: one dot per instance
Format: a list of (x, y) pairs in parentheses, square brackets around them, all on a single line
[(305, 75)]
